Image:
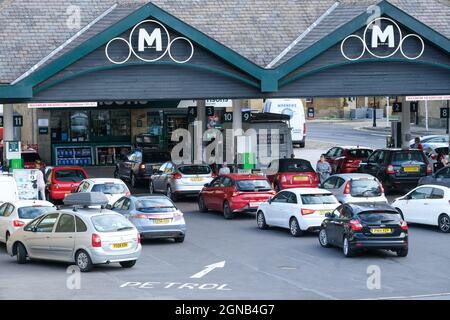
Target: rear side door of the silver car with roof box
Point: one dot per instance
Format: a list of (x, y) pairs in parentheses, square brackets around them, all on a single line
[(63, 239)]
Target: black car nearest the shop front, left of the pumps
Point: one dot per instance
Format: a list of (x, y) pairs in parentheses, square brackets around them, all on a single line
[(139, 165)]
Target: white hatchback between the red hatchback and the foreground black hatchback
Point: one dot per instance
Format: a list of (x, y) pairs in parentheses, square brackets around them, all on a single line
[(297, 209)]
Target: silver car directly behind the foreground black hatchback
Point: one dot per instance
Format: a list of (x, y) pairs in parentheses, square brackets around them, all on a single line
[(355, 187)]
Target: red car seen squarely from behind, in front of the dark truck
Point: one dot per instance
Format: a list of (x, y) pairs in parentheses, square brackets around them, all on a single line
[(292, 173)]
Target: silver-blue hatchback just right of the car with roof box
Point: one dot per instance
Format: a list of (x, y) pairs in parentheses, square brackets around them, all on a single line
[(154, 216)]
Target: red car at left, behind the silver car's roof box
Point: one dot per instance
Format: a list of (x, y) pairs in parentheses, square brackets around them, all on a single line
[(62, 181)]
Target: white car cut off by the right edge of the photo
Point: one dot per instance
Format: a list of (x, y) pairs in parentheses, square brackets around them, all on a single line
[(427, 204)]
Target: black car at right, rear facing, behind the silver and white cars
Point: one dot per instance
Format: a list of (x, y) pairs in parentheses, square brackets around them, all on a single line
[(397, 168)]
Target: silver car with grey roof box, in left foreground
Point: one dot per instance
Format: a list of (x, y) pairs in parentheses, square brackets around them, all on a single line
[(83, 235)]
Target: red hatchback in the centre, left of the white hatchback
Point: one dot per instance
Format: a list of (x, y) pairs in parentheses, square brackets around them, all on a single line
[(233, 193)]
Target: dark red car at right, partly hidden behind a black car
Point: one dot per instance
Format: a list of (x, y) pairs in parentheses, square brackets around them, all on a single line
[(347, 159)]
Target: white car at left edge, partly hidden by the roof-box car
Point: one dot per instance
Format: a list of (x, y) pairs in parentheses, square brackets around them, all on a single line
[(14, 215)]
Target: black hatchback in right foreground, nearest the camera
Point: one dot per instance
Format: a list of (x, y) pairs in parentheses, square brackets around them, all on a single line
[(360, 226)]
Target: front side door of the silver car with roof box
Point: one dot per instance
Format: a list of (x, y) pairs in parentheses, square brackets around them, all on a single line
[(38, 241)]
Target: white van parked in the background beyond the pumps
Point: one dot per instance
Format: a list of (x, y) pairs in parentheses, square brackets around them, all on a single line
[(294, 108)]
